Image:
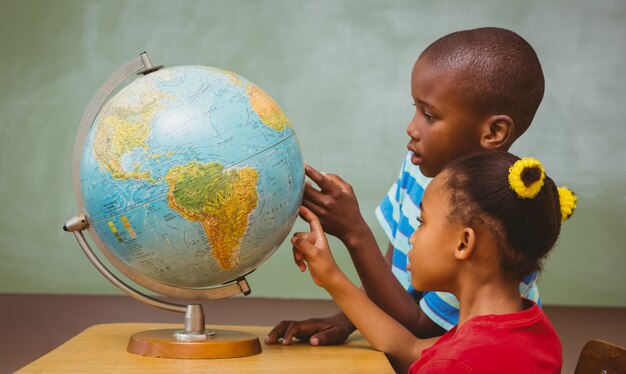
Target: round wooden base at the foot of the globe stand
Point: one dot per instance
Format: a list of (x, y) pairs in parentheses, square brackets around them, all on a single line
[(224, 344)]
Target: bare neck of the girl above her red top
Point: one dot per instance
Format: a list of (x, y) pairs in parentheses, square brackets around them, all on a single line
[(494, 297)]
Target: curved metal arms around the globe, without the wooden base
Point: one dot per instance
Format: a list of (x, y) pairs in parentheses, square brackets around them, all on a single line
[(140, 65)]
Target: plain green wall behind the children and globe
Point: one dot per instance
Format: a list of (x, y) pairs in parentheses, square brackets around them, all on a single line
[(340, 70)]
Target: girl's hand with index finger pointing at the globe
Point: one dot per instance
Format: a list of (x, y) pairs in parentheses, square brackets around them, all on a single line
[(312, 249)]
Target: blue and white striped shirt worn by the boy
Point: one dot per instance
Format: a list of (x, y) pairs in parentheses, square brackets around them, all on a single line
[(397, 214)]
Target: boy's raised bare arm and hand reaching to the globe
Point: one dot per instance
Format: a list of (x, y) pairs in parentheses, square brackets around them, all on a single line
[(337, 208)]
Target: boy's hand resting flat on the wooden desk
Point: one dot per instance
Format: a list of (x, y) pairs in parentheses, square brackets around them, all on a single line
[(317, 331)]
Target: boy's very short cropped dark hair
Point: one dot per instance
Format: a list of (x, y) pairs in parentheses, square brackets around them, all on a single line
[(497, 71)]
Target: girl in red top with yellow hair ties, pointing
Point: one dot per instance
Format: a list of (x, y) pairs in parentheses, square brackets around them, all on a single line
[(486, 221)]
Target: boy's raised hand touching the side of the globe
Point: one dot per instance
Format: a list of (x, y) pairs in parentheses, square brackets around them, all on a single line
[(335, 204)]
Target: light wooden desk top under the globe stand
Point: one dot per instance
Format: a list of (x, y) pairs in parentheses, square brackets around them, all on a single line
[(102, 348)]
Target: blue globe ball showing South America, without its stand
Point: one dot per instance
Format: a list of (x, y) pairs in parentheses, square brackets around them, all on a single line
[(191, 176)]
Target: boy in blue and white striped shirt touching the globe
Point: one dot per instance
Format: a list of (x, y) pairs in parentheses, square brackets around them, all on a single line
[(474, 90)]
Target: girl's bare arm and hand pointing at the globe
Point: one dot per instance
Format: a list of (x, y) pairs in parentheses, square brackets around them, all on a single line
[(382, 331)]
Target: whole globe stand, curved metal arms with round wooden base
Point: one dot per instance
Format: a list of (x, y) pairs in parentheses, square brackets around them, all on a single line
[(194, 341)]
